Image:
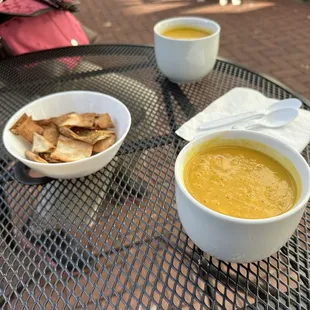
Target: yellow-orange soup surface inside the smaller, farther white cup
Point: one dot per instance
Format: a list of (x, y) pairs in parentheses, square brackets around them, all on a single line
[(185, 32)]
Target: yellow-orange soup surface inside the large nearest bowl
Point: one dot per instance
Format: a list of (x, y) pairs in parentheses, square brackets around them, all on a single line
[(240, 182)]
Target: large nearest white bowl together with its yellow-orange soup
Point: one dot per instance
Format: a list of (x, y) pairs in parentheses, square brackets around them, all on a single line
[(217, 228)]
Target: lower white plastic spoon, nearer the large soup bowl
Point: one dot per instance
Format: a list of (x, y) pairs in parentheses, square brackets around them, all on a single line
[(273, 119)]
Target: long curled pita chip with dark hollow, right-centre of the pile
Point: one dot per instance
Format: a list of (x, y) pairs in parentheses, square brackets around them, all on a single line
[(86, 135)]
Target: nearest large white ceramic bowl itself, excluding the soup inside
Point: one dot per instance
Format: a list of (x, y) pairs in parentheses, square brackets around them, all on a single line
[(234, 239)]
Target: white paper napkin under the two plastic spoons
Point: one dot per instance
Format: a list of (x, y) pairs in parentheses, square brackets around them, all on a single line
[(241, 100)]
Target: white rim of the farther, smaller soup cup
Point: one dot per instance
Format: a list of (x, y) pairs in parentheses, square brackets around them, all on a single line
[(217, 32)]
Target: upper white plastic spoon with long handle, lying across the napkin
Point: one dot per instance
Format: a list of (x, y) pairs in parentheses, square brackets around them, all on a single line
[(287, 103)]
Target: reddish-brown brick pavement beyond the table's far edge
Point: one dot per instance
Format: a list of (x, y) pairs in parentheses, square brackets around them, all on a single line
[(269, 36)]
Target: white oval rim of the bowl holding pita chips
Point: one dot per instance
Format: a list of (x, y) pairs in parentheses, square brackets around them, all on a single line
[(67, 164)]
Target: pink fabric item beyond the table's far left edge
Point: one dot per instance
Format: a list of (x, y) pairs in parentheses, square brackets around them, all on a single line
[(47, 28)]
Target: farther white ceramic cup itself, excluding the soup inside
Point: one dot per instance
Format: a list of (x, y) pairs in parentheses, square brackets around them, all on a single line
[(186, 61)]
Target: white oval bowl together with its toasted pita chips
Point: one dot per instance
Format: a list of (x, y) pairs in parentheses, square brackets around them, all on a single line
[(68, 135)]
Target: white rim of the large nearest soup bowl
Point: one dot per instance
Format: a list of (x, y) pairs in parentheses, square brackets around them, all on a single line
[(298, 205)]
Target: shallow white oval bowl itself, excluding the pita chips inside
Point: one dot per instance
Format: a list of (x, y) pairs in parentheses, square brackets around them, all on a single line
[(61, 103)]
